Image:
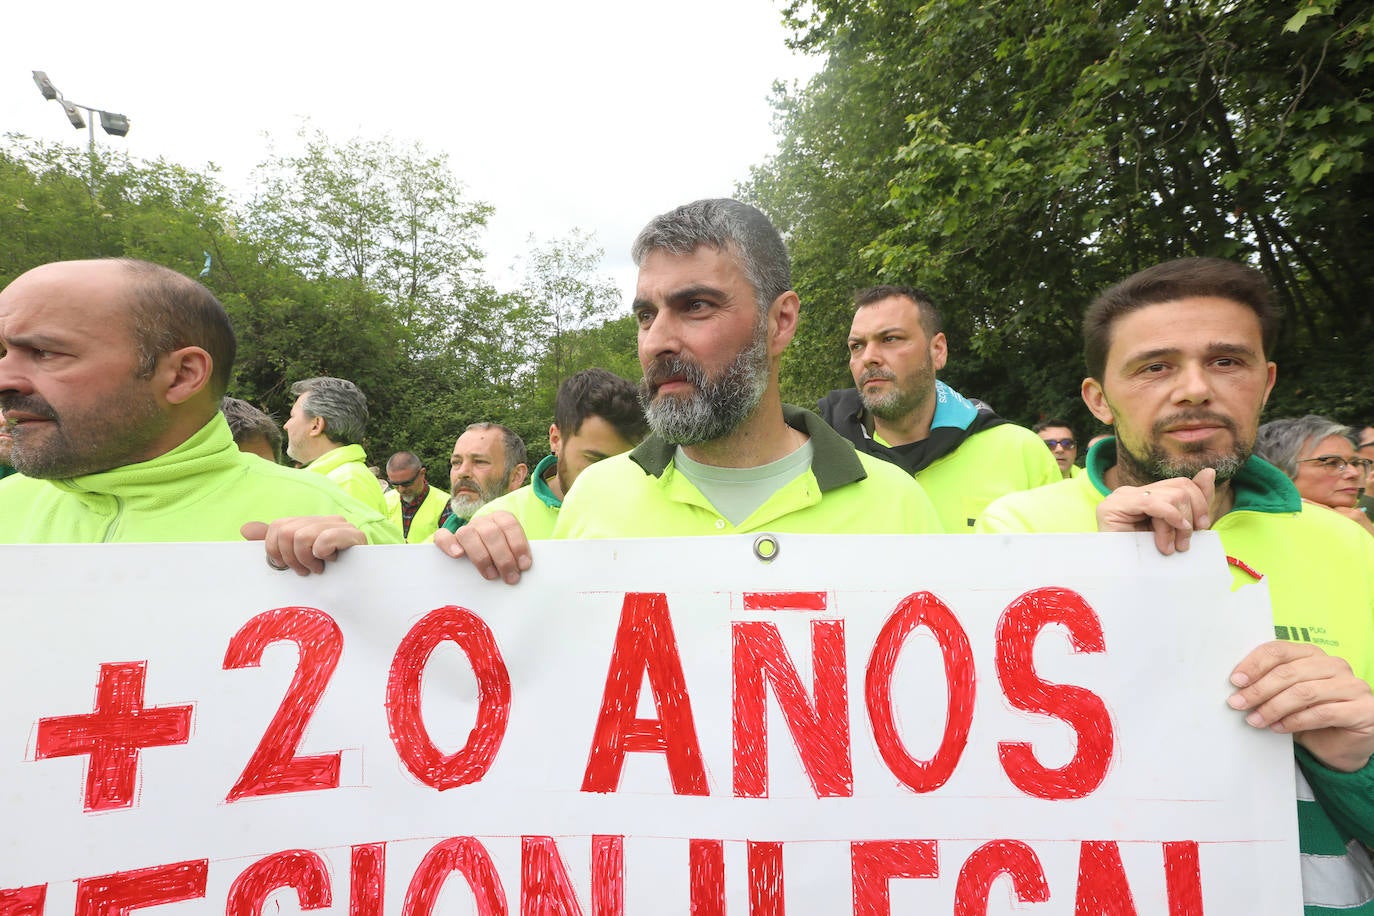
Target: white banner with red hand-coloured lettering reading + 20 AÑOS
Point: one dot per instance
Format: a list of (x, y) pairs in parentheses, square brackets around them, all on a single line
[(858, 726)]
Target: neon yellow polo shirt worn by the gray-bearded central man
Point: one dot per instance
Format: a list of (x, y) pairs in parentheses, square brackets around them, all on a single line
[(642, 495)]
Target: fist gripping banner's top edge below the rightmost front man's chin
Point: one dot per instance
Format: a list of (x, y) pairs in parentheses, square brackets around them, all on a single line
[(1171, 509)]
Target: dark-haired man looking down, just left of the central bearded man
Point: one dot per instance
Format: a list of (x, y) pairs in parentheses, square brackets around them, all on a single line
[(597, 415)]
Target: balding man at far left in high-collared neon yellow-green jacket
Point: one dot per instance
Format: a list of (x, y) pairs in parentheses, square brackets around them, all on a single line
[(117, 440)]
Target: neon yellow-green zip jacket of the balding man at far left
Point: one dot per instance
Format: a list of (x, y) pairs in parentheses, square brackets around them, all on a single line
[(201, 491)]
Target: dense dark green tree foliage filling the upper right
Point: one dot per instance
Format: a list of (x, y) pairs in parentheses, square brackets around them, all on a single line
[(1017, 159)]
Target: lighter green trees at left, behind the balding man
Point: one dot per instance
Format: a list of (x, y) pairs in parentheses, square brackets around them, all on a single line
[(358, 260)]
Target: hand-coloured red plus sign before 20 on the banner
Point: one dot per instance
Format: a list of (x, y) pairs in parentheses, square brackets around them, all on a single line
[(113, 735)]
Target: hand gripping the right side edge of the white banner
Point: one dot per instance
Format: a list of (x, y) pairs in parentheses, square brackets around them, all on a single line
[(1300, 690)]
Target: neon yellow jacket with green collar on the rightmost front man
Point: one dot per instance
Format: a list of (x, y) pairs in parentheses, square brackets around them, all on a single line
[(1321, 573)]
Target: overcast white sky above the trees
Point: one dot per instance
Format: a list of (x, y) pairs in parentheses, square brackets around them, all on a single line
[(594, 115)]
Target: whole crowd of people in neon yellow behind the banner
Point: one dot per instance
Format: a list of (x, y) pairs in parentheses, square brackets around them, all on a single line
[(113, 377)]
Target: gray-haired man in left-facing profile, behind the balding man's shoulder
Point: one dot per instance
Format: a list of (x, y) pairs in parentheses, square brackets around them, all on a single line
[(325, 433)]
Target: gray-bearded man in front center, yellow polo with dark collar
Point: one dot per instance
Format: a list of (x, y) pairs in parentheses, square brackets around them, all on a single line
[(725, 455)]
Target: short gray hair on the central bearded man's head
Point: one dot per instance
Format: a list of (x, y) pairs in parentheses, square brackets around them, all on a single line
[(726, 226)]
